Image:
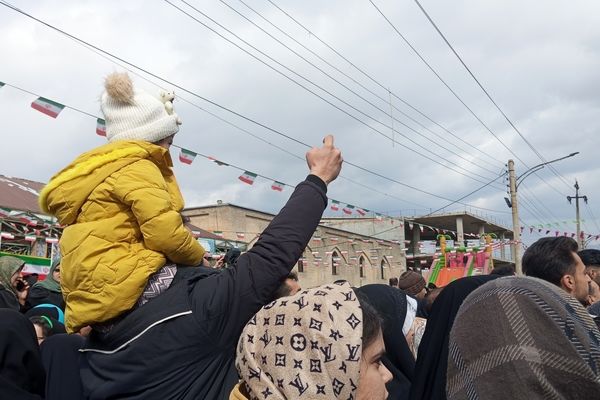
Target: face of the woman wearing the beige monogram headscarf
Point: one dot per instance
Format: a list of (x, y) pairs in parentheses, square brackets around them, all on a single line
[(373, 374)]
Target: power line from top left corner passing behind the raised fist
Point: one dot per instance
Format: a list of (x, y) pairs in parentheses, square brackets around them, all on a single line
[(194, 94)]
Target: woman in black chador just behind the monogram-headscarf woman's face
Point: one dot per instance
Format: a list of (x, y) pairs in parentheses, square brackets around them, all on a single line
[(394, 307)]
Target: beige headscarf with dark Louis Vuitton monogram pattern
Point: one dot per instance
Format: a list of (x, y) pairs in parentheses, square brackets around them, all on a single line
[(306, 346)]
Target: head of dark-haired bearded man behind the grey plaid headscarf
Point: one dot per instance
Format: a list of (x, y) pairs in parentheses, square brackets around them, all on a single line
[(555, 259)]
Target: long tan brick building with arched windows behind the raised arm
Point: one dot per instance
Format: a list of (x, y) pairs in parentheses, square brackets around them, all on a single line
[(341, 248)]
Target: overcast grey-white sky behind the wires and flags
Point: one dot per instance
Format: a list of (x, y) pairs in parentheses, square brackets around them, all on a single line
[(538, 60)]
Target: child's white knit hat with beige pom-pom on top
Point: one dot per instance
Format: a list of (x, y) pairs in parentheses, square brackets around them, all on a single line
[(134, 114)]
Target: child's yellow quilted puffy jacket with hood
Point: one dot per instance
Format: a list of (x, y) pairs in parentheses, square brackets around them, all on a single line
[(120, 203)]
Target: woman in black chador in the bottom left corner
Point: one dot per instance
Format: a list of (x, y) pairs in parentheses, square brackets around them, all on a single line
[(21, 372)]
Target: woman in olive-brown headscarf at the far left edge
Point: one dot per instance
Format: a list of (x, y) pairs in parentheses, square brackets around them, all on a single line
[(13, 290)]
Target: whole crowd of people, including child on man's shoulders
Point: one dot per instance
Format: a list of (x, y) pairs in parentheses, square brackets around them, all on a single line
[(131, 311)]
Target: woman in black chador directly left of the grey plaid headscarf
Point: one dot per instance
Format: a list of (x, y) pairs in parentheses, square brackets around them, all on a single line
[(430, 370)]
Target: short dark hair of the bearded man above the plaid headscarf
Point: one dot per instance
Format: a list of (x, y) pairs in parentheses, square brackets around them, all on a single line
[(550, 259)]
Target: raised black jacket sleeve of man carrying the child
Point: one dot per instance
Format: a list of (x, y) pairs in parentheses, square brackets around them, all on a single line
[(223, 304)]
